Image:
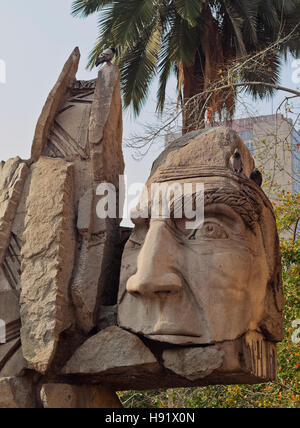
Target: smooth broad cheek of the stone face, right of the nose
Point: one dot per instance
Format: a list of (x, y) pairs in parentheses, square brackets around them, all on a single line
[(229, 285)]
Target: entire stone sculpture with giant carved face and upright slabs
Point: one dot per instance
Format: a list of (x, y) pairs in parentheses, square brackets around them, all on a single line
[(190, 308)]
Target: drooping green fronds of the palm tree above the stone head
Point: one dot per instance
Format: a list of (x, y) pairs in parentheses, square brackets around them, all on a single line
[(195, 38)]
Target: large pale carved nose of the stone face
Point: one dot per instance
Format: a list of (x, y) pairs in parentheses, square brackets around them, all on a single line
[(157, 267)]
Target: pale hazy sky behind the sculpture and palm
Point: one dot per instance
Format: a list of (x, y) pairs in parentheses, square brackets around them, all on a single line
[(36, 38)]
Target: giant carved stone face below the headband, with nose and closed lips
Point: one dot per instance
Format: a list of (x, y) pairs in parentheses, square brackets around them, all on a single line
[(206, 285)]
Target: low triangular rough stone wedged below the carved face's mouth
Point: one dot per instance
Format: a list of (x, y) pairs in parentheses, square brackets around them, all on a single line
[(112, 351)]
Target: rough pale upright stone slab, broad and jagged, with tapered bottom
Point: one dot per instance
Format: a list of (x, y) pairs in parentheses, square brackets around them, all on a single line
[(48, 257)]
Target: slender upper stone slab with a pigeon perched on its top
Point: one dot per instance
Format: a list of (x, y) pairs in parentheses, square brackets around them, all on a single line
[(105, 129)]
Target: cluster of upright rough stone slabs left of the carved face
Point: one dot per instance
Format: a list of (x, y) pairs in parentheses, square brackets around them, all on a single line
[(57, 258)]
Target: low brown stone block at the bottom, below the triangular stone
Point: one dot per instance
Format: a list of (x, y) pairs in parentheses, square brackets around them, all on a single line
[(63, 396)]
